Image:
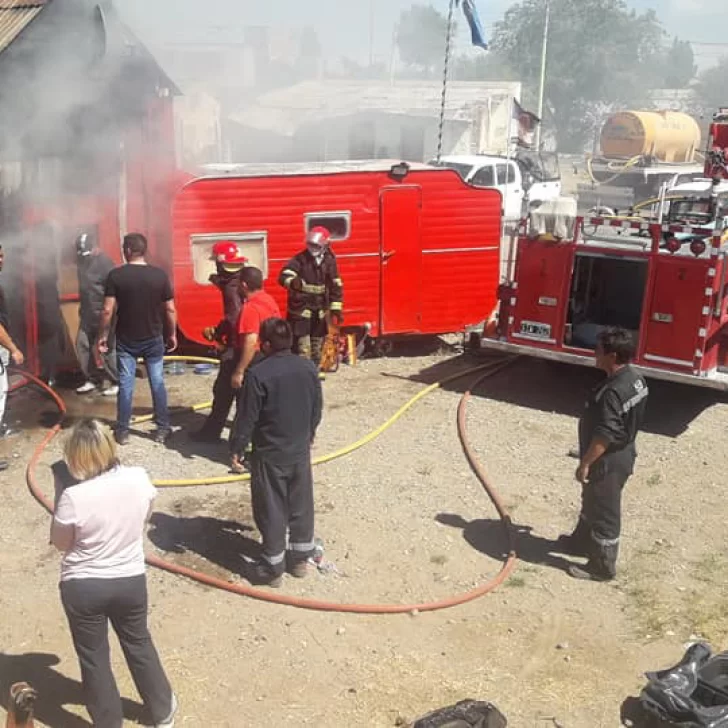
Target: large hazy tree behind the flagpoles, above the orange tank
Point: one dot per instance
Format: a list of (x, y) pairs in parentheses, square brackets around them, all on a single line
[(600, 53)]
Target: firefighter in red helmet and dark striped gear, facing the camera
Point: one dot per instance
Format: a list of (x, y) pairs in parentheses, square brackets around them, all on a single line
[(315, 292)]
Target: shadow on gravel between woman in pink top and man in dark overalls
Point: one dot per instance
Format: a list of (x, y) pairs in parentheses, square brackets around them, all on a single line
[(223, 543)]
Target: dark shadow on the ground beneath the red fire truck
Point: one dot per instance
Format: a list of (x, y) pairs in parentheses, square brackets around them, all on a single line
[(554, 387)]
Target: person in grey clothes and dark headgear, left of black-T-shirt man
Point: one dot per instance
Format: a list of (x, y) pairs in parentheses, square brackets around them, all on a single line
[(93, 267)]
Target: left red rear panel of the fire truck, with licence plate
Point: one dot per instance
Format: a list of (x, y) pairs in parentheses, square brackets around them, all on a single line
[(543, 274)]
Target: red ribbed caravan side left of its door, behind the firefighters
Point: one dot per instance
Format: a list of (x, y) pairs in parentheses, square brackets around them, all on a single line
[(269, 215)]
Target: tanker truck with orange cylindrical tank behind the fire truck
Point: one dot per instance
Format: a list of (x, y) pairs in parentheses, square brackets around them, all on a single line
[(635, 154)]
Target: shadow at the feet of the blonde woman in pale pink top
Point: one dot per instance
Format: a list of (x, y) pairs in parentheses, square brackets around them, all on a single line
[(54, 689)]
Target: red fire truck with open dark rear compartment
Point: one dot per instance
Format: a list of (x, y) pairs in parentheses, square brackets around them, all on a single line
[(665, 279)]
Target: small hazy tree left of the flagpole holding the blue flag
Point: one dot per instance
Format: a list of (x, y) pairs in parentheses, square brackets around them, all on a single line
[(421, 37)]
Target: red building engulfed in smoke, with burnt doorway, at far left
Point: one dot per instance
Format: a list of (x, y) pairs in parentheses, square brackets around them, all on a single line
[(86, 144)]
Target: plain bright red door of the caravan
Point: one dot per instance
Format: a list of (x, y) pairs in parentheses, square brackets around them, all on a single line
[(401, 255)]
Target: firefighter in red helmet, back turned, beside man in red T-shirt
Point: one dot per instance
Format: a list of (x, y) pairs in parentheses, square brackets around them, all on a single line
[(229, 263)]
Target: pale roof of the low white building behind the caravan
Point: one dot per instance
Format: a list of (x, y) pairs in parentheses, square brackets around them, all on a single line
[(283, 111)]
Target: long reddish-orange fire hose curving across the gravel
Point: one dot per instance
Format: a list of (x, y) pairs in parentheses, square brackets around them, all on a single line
[(315, 604)]
